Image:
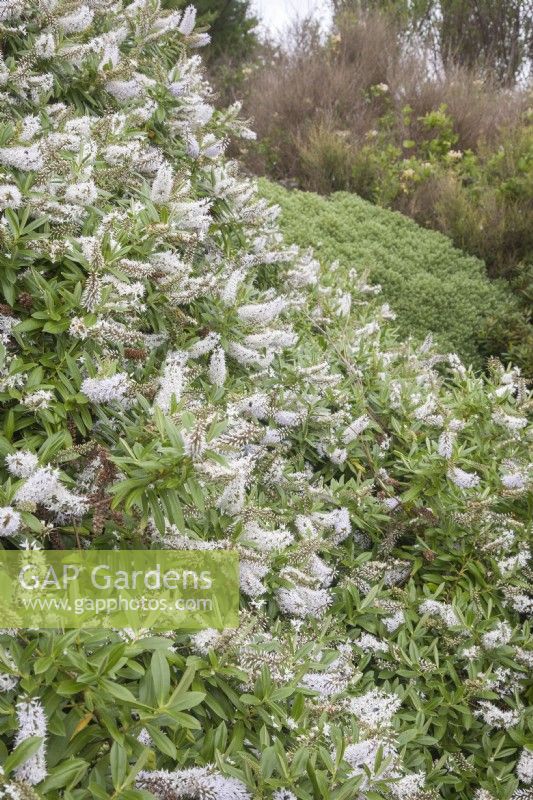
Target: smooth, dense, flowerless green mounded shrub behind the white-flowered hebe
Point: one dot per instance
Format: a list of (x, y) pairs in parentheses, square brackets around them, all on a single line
[(431, 285)]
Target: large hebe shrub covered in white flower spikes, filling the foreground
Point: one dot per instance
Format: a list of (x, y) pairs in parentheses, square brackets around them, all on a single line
[(174, 377)]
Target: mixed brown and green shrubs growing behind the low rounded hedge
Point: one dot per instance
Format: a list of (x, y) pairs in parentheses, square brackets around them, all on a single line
[(383, 109)]
